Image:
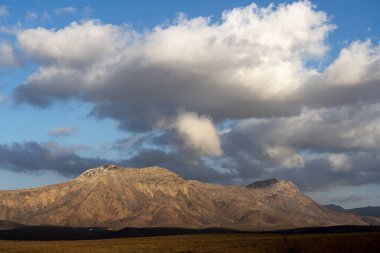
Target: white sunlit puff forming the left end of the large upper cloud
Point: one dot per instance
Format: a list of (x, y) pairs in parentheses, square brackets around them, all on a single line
[(76, 45)]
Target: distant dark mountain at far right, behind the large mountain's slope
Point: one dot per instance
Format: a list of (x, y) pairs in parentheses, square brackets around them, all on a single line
[(369, 214)]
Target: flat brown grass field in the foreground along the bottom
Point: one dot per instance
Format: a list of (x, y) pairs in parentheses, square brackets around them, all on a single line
[(357, 242)]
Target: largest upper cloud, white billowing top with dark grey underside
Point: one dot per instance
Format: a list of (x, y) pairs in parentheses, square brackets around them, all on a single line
[(254, 57)]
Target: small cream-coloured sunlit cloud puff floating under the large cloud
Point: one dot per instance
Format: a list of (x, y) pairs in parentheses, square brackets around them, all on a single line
[(198, 133)]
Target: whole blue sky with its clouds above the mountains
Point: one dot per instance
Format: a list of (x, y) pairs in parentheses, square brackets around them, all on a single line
[(227, 92)]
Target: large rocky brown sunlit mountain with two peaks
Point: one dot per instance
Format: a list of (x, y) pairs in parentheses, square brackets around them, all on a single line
[(114, 197)]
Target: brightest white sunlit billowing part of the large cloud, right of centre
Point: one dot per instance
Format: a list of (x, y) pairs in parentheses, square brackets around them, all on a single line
[(261, 49)]
